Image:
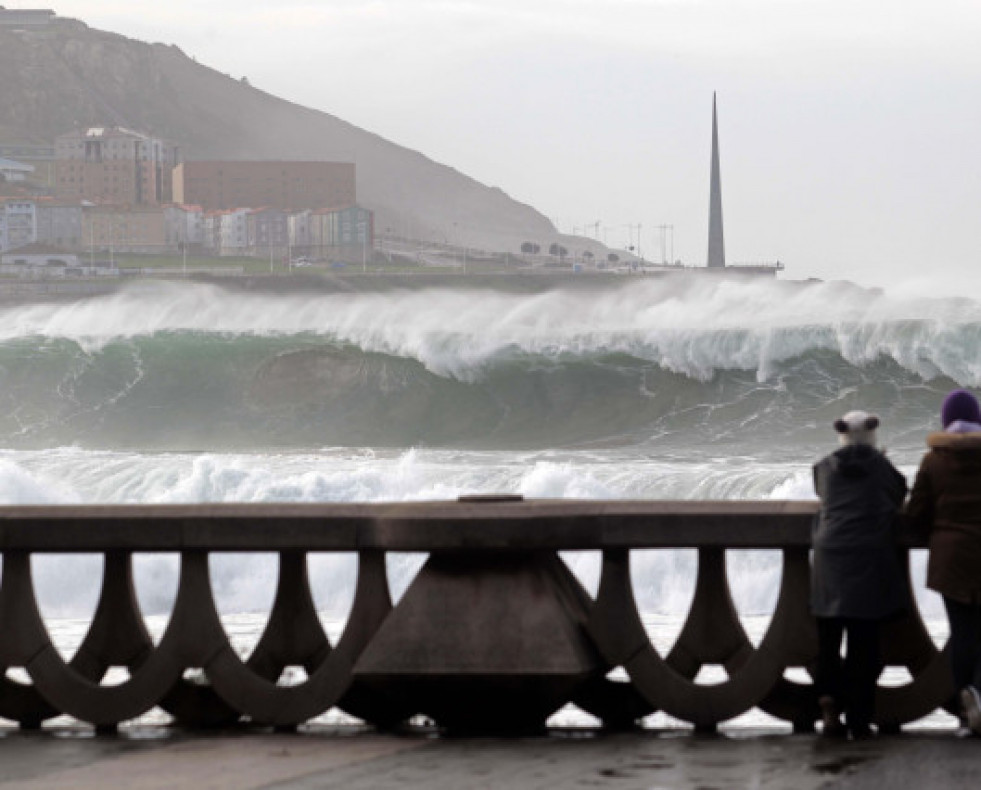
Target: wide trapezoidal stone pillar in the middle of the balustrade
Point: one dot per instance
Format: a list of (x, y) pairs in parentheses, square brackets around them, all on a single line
[(484, 642)]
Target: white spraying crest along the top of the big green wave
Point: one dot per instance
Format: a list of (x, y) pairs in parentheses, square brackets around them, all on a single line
[(693, 326)]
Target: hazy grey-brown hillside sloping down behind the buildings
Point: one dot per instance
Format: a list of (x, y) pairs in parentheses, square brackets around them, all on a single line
[(70, 75)]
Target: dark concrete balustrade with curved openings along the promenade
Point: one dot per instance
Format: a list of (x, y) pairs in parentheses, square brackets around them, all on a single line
[(495, 633)]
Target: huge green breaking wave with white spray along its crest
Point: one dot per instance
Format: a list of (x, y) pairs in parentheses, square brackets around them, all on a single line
[(703, 361)]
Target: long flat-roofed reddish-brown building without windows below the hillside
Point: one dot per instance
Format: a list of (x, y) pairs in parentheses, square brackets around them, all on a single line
[(289, 186)]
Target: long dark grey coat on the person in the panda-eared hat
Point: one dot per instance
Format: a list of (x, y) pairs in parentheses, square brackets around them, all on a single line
[(857, 571)]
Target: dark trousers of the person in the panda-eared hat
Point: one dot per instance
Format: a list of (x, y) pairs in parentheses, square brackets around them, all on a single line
[(850, 681)]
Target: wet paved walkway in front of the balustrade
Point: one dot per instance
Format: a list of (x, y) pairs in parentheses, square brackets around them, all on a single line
[(148, 758)]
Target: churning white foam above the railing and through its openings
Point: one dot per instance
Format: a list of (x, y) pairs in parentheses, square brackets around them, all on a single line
[(663, 579)]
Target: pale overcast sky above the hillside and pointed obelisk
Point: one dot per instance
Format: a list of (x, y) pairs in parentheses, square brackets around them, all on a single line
[(850, 131)]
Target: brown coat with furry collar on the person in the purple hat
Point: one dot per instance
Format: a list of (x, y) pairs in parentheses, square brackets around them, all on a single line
[(946, 506)]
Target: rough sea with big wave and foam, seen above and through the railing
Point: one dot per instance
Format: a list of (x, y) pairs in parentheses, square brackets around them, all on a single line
[(641, 388)]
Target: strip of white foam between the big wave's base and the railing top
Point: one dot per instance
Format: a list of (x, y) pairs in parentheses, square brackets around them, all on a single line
[(341, 475)]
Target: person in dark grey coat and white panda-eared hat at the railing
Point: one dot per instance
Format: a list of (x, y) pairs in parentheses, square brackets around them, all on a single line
[(857, 579)]
